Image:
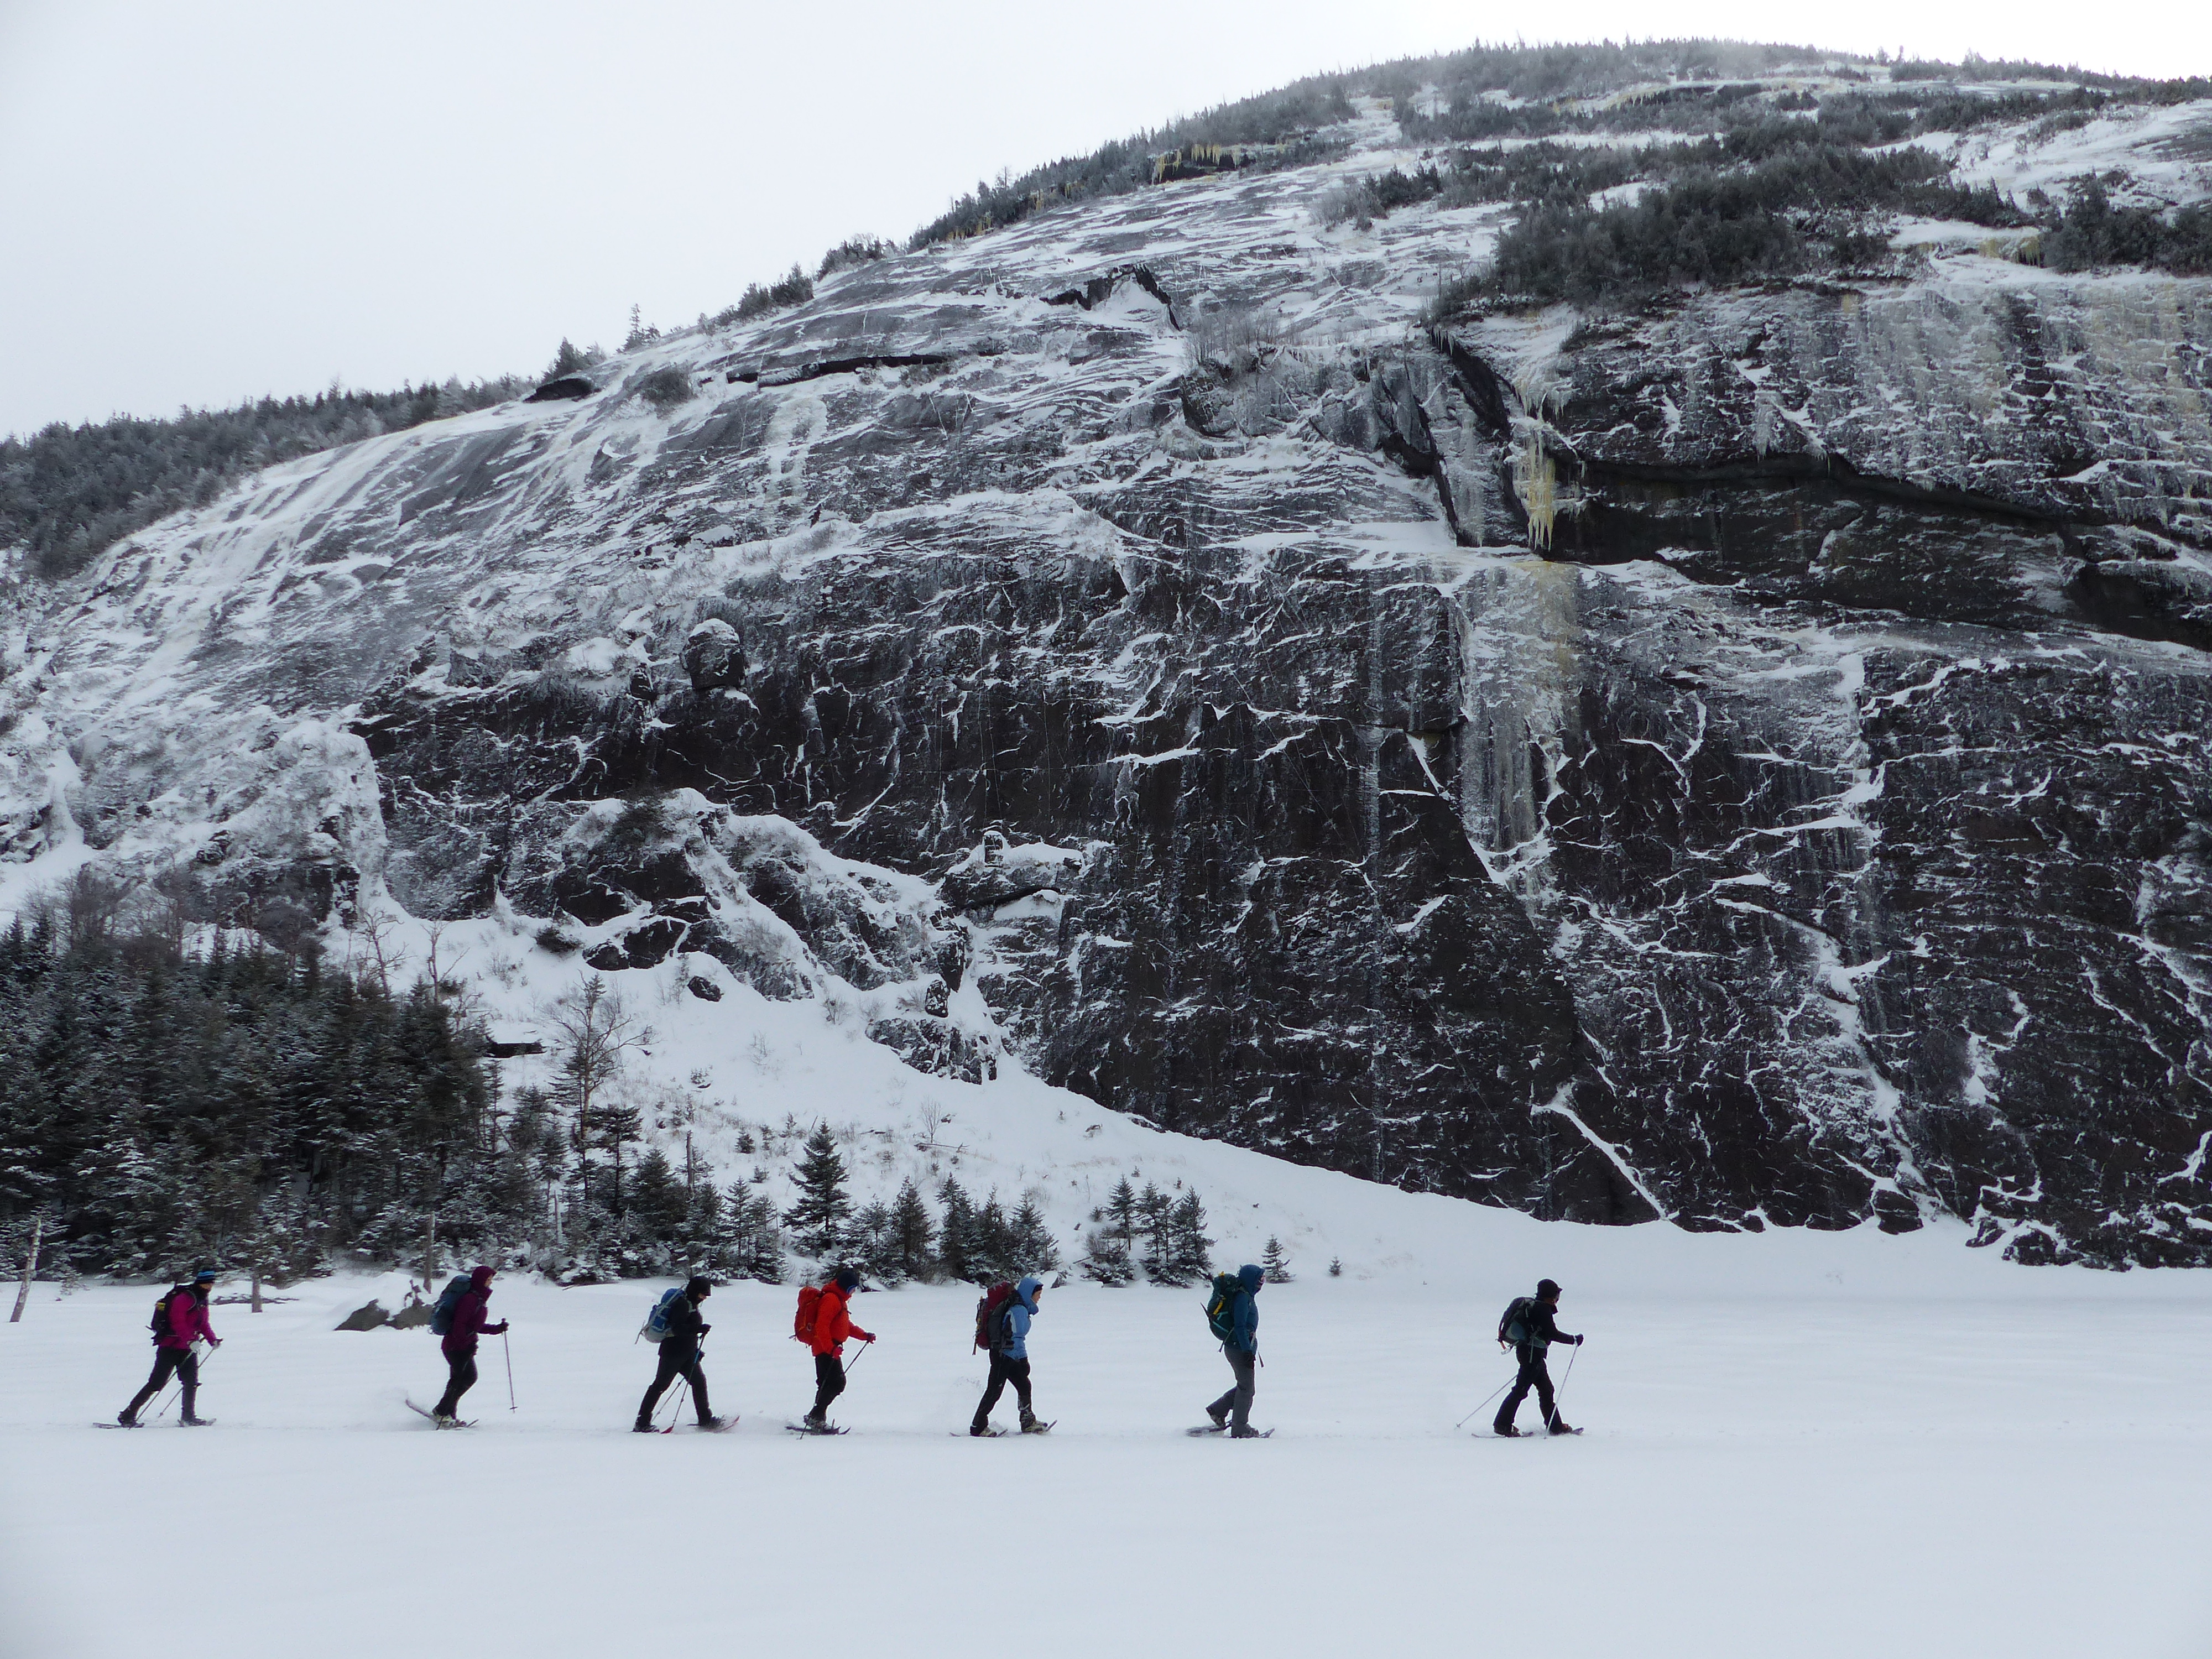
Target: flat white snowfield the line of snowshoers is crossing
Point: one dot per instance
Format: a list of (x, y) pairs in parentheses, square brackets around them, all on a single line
[(1797, 1446)]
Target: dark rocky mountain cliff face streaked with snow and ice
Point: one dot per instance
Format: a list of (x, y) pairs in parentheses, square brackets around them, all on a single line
[(1738, 760)]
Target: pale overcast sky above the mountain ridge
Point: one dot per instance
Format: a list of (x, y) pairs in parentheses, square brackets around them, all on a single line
[(213, 200)]
